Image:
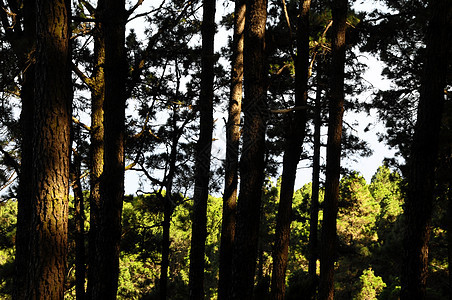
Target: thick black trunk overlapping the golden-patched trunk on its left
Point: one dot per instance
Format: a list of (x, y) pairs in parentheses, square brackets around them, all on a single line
[(113, 18)]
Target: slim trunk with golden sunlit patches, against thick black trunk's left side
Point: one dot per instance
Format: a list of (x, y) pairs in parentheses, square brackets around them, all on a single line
[(96, 151)]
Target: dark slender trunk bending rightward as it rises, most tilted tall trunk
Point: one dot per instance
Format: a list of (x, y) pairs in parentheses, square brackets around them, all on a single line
[(293, 147)]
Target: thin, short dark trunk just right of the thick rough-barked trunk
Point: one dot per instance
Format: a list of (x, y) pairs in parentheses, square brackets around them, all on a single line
[(75, 176)]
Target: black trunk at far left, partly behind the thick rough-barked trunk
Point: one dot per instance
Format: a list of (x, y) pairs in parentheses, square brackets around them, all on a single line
[(24, 211)]
